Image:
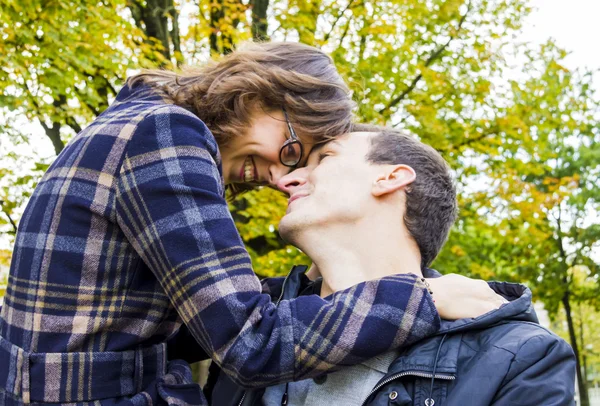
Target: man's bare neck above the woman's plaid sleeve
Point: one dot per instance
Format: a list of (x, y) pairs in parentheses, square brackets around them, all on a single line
[(347, 256)]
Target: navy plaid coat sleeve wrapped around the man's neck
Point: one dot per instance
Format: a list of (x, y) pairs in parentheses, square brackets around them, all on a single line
[(170, 206)]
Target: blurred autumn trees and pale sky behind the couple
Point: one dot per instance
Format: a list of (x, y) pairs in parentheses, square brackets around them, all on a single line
[(506, 90)]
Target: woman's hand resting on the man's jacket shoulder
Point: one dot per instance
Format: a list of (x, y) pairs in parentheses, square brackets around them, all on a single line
[(459, 297)]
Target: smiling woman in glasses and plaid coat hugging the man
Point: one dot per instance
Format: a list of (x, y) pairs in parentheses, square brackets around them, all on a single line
[(127, 238)]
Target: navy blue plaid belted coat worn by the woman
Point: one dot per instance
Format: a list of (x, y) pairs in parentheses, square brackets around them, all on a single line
[(127, 237)]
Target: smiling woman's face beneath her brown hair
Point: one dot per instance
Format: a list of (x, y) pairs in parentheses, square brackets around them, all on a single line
[(254, 156)]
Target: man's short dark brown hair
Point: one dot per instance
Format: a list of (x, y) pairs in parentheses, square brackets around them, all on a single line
[(431, 206)]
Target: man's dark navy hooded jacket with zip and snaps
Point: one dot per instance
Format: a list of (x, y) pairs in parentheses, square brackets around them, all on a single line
[(501, 358)]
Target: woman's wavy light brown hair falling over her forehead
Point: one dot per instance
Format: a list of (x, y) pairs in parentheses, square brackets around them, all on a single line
[(270, 76)]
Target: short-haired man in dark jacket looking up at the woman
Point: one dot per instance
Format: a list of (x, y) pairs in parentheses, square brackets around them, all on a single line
[(384, 202)]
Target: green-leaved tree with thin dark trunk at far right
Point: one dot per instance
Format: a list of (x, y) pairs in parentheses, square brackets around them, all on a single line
[(544, 192)]
